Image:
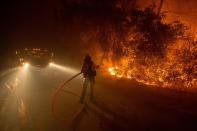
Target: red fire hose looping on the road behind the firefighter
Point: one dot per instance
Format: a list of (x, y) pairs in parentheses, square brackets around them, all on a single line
[(54, 99)]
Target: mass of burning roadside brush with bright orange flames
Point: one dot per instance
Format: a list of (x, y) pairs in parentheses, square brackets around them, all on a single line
[(163, 54)]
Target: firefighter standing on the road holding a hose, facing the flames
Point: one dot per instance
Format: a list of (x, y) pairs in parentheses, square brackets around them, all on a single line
[(89, 73)]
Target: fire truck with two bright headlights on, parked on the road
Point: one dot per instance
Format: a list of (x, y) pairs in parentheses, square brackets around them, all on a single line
[(36, 57)]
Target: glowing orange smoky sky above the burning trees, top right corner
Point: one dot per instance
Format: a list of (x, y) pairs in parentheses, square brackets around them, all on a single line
[(184, 10)]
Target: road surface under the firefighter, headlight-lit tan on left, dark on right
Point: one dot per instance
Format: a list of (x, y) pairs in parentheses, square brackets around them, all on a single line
[(26, 94)]
